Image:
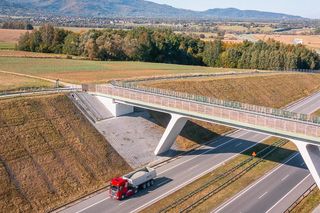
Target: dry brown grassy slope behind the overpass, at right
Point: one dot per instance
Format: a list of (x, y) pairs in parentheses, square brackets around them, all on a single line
[(271, 90)]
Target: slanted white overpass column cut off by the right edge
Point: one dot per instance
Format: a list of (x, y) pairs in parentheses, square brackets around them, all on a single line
[(311, 156)]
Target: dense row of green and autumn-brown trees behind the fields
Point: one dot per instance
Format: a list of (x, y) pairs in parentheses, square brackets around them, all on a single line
[(165, 46)]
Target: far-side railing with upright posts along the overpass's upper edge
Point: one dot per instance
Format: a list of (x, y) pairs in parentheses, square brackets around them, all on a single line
[(214, 101)]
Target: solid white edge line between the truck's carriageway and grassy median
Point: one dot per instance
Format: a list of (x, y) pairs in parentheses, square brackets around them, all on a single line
[(189, 181)]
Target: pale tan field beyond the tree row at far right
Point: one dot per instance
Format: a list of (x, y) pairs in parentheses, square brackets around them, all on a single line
[(311, 41)]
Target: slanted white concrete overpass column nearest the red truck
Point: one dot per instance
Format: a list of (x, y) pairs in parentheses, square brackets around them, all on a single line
[(171, 133)]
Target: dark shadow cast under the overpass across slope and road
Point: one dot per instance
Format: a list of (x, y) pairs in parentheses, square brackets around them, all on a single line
[(225, 144)]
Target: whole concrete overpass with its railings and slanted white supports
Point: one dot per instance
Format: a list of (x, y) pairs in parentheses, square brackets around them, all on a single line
[(303, 130)]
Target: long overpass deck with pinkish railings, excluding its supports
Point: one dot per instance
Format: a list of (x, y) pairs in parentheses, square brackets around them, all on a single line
[(261, 122)]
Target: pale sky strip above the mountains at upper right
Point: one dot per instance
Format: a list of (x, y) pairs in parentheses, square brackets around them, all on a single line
[(304, 8)]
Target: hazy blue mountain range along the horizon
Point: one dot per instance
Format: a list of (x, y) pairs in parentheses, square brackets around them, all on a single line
[(127, 8)]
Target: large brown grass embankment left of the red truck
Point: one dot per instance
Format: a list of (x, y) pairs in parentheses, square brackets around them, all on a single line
[(50, 154)]
